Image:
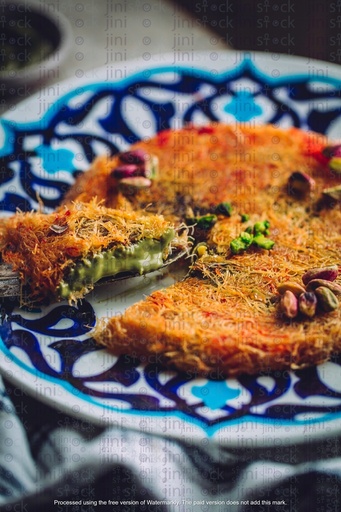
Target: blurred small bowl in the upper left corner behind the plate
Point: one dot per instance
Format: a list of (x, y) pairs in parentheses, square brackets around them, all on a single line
[(34, 41)]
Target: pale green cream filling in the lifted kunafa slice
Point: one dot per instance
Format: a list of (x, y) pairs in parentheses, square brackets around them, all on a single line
[(139, 258)]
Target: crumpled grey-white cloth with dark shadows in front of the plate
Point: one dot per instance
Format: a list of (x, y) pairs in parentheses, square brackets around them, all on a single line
[(52, 462)]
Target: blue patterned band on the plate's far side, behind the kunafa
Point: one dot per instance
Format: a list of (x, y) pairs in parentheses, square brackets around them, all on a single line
[(76, 129)]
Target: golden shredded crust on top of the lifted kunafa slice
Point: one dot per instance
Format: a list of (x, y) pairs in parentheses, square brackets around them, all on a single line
[(43, 247)]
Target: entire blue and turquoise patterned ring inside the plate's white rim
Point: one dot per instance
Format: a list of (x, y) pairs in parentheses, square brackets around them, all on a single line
[(77, 122)]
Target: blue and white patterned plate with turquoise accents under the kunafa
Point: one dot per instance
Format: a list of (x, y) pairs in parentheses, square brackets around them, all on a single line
[(53, 136)]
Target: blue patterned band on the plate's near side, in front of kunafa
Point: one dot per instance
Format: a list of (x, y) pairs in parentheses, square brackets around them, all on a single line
[(144, 390)]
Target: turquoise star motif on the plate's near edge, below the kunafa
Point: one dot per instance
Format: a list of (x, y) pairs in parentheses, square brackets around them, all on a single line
[(215, 394)]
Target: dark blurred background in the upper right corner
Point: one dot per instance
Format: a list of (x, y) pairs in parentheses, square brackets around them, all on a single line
[(307, 28)]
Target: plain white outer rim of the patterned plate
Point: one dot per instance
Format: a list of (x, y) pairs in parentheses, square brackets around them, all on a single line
[(7, 364)]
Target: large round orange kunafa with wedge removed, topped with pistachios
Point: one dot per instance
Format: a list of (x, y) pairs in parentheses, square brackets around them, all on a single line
[(264, 289)]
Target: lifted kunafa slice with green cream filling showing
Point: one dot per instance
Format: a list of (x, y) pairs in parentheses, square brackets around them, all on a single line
[(63, 254)]
